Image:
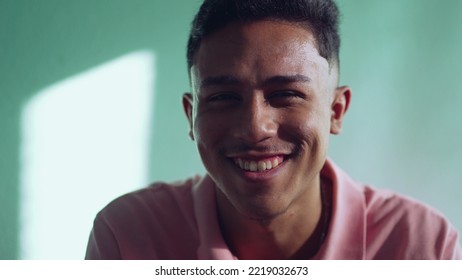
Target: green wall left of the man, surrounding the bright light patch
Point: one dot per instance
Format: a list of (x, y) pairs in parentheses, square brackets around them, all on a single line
[(42, 42)]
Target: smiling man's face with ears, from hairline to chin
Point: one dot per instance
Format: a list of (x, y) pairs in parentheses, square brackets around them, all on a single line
[(263, 104)]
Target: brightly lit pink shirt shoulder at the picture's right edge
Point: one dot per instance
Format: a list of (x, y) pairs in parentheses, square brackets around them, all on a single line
[(399, 227)]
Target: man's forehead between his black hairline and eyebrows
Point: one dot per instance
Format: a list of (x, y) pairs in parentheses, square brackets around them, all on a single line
[(257, 50)]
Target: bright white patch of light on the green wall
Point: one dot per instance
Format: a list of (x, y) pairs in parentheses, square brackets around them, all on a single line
[(85, 141)]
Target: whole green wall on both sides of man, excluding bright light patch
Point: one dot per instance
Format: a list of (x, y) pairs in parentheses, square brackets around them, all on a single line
[(402, 59)]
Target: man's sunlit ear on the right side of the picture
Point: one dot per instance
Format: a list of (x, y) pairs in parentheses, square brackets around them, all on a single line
[(339, 107)]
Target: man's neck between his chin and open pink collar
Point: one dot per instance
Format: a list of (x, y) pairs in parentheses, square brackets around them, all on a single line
[(296, 233)]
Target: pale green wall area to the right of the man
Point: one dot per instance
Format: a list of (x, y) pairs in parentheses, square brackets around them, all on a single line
[(404, 129)]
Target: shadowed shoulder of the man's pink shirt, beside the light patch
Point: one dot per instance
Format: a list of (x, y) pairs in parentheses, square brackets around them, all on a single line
[(156, 222)]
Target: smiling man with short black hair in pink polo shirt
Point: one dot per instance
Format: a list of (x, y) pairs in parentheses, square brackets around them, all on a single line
[(265, 98)]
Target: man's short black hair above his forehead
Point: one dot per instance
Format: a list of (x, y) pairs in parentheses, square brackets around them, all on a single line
[(320, 16)]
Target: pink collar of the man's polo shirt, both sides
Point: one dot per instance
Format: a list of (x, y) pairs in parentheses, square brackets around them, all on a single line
[(346, 233)]
